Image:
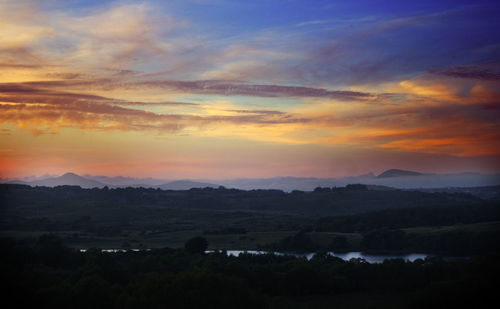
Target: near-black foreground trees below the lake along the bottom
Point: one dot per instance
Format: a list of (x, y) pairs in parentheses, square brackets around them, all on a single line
[(50, 275)]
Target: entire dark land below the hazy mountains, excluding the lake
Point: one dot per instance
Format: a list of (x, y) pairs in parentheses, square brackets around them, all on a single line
[(53, 241)]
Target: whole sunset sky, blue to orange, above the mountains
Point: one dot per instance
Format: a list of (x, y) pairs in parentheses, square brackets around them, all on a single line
[(213, 89)]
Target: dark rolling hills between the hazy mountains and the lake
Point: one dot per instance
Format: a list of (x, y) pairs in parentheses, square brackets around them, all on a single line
[(353, 218)]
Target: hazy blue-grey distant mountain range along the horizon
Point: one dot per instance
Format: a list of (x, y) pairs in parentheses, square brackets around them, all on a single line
[(401, 179)]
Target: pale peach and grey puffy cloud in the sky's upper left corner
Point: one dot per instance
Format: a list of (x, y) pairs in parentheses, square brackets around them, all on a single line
[(113, 35)]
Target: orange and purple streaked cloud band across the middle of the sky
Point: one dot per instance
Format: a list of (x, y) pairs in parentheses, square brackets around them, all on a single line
[(429, 117)]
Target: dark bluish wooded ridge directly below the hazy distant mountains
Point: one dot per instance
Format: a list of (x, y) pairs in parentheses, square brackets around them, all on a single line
[(322, 202)]
